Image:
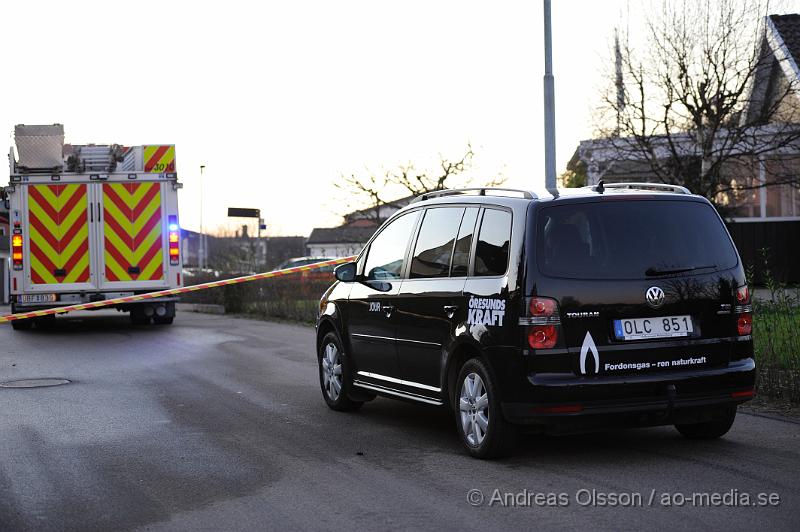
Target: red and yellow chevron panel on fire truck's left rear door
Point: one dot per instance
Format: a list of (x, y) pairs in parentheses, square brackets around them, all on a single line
[(59, 234)]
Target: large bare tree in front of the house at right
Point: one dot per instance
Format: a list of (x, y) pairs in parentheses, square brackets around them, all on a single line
[(688, 106)]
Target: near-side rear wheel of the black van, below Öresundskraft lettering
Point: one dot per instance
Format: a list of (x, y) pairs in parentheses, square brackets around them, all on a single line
[(483, 430)]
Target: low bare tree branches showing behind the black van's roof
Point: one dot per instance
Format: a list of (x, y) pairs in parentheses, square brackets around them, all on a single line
[(374, 190)]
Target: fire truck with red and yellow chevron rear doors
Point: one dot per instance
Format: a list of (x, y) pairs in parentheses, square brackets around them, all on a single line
[(89, 223)]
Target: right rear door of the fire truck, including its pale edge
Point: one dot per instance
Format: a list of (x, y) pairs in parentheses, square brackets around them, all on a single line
[(132, 229)]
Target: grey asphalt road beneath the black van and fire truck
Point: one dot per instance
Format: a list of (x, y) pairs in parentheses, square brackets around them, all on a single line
[(217, 423)]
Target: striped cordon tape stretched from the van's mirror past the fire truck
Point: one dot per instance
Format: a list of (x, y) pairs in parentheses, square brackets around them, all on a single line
[(173, 291)]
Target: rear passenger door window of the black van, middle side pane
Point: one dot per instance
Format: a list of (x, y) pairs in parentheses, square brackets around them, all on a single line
[(435, 242)]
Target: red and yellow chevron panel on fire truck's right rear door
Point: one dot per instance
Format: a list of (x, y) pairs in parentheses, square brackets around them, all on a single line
[(133, 232)]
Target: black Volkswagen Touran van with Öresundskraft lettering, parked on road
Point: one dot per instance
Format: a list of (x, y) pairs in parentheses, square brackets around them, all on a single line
[(619, 304)]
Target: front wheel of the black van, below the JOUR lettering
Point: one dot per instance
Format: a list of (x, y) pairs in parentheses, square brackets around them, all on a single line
[(335, 377)]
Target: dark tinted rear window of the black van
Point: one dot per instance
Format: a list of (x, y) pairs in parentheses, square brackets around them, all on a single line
[(631, 240)]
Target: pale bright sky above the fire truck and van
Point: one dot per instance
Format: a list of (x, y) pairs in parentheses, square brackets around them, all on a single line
[(279, 99)]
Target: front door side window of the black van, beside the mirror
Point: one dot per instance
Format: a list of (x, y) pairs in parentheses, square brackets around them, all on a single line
[(387, 251)]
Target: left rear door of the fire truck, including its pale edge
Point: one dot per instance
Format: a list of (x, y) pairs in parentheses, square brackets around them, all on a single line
[(58, 241)]
